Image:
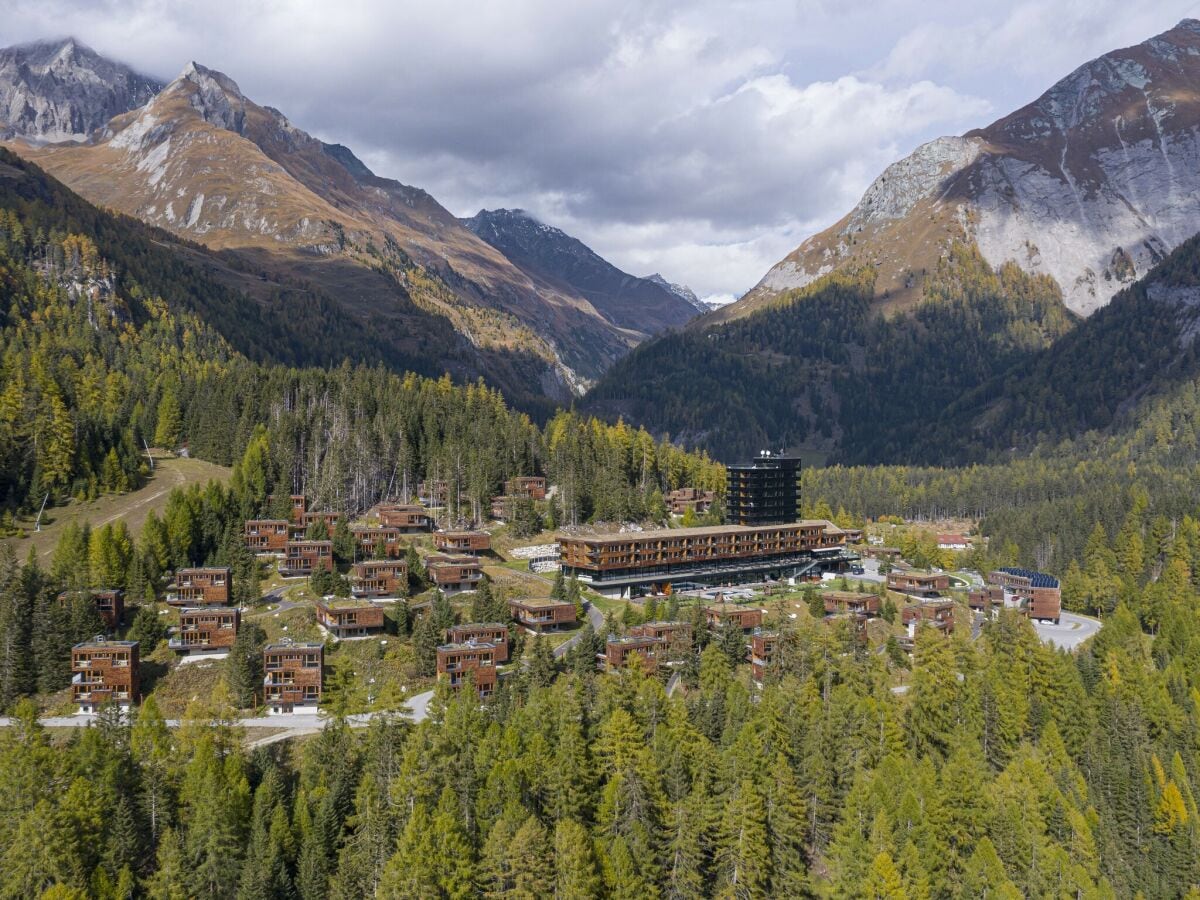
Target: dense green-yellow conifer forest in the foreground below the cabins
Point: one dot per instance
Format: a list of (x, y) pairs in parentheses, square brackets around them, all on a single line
[(1007, 770)]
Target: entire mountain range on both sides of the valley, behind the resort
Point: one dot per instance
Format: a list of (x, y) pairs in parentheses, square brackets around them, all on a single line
[(1029, 279)]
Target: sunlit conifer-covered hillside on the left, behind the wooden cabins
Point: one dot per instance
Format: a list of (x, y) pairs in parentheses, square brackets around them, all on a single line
[(103, 356)]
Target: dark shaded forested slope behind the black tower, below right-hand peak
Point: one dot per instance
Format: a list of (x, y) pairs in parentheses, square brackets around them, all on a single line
[(821, 370)]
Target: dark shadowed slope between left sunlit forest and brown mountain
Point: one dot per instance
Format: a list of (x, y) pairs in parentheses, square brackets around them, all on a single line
[(266, 317)]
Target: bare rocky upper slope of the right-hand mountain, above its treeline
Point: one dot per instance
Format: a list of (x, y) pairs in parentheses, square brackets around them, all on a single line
[(1091, 184)]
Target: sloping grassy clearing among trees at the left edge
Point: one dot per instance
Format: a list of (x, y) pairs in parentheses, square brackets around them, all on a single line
[(134, 507)]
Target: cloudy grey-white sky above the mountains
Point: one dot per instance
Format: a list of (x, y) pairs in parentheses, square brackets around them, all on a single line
[(701, 140)]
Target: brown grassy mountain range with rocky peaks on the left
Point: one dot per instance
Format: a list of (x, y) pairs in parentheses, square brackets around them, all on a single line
[(201, 160)]
